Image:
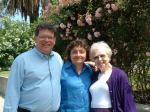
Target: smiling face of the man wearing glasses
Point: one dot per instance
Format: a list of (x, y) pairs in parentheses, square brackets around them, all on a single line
[(45, 41)]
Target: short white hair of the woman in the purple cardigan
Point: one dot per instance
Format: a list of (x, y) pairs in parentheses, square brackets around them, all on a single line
[(100, 45)]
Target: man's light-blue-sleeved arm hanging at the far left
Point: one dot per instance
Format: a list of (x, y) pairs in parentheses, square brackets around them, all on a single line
[(14, 83)]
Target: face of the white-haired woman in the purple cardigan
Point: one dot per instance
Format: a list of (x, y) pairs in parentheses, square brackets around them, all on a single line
[(101, 59)]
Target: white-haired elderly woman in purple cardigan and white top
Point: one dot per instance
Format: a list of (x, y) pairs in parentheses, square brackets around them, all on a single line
[(110, 89)]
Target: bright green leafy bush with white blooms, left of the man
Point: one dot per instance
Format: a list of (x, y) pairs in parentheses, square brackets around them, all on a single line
[(15, 38)]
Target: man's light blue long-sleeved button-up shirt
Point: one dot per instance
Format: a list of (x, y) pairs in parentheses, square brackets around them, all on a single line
[(34, 82)]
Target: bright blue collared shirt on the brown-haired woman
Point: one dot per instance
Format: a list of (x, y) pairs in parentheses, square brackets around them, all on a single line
[(75, 88)]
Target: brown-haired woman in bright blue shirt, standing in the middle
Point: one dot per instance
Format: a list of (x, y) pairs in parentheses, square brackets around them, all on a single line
[(76, 79)]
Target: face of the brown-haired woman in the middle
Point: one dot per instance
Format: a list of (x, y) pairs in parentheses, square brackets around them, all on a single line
[(78, 55)]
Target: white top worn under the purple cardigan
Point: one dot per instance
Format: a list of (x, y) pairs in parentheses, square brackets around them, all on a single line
[(100, 92)]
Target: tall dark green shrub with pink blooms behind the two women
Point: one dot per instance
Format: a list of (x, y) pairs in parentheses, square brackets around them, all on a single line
[(123, 24)]
